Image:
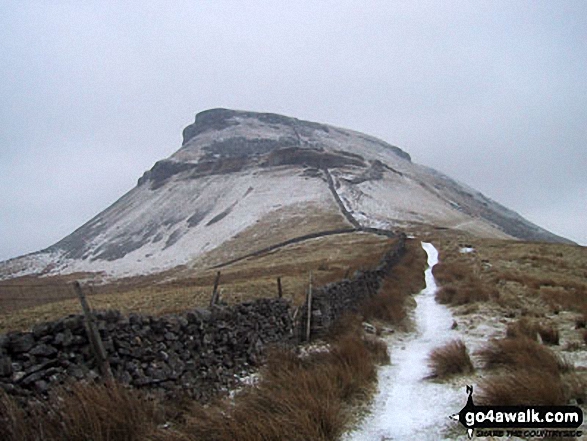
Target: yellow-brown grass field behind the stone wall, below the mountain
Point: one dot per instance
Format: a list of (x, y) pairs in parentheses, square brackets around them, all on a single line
[(26, 302)]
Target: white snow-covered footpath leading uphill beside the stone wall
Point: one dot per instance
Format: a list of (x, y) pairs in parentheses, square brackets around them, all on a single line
[(408, 406)]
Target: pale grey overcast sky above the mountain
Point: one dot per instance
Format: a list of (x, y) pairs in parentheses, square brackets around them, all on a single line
[(93, 93)]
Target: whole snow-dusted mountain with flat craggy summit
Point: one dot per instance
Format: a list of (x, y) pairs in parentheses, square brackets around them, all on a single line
[(243, 181)]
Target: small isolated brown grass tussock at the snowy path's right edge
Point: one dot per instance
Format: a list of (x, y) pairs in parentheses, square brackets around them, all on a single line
[(449, 360)]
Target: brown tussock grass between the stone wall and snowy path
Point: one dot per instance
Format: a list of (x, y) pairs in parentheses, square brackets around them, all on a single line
[(298, 398)]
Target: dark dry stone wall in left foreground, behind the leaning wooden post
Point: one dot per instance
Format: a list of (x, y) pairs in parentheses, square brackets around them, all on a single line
[(199, 352)]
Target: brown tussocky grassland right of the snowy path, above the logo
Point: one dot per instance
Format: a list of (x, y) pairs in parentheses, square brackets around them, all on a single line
[(539, 283)]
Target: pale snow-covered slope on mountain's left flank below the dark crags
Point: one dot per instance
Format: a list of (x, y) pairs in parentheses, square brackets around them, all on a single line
[(245, 197)]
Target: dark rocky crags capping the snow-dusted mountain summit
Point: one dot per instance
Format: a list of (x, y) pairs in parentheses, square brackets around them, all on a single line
[(293, 142)]
